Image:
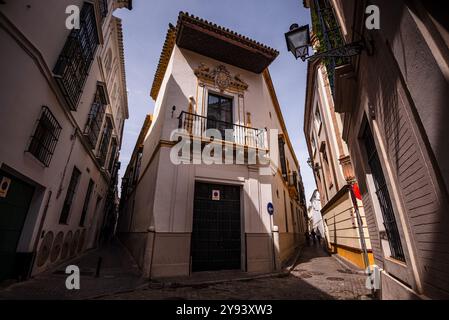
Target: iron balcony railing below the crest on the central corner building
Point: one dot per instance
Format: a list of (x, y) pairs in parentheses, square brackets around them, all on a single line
[(197, 125)]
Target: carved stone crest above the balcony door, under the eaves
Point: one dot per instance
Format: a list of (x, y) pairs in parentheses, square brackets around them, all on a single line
[(220, 77)]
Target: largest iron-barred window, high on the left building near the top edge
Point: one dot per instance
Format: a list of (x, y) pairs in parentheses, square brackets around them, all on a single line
[(72, 68)]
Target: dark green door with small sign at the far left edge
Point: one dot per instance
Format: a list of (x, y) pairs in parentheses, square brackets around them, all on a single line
[(14, 206)]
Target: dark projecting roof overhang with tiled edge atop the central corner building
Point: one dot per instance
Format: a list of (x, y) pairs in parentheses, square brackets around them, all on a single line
[(222, 44)]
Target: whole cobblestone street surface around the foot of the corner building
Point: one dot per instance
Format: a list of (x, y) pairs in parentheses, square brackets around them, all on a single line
[(316, 275)]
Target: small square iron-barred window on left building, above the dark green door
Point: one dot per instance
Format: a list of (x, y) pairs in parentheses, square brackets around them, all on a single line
[(45, 137)]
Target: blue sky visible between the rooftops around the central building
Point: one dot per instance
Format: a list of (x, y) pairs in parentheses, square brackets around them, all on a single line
[(266, 21)]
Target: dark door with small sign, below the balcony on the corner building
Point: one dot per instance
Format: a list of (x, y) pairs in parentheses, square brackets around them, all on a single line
[(216, 234)]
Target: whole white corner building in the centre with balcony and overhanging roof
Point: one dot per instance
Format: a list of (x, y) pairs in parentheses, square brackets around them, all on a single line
[(182, 218)]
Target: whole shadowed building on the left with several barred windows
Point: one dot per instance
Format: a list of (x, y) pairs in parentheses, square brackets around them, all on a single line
[(63, 107)]
